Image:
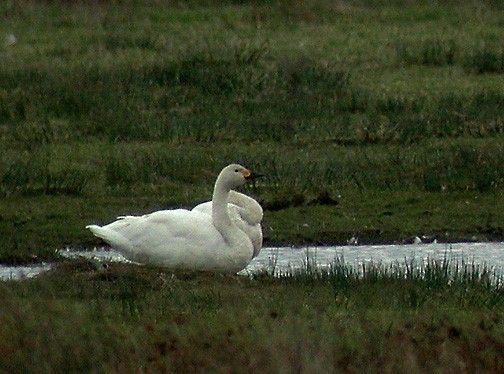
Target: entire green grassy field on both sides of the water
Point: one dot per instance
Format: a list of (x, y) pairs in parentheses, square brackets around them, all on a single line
[(374, 119)]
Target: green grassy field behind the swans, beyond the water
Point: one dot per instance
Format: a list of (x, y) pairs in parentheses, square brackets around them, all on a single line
[(382, 119)]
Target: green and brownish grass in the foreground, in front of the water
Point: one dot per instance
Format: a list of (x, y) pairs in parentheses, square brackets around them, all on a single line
[(127, 318)]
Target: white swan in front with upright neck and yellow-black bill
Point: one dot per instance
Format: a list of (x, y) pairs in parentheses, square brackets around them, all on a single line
[(183, 239)]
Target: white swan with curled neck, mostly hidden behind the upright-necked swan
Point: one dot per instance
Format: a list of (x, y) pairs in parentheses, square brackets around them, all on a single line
[(245, 212)]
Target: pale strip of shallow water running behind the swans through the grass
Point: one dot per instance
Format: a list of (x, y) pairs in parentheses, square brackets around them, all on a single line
[(282, 259)]
